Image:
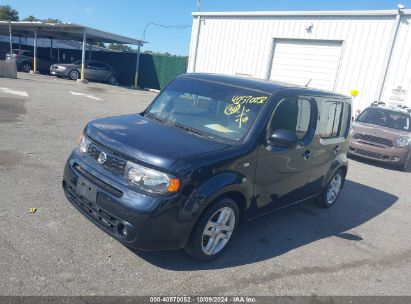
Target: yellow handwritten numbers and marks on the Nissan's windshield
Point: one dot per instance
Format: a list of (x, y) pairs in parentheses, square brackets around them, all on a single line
[(238, 107)]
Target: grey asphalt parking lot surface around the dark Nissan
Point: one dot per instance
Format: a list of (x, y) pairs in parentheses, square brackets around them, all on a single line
[(361, 246)]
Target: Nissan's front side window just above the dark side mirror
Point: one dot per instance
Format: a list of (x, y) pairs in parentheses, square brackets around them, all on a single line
[(292, 114)]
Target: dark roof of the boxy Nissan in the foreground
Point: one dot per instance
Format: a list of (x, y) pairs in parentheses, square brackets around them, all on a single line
[(267, 86)]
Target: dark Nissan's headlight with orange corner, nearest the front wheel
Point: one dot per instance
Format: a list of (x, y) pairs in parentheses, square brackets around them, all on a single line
[(151, 180)]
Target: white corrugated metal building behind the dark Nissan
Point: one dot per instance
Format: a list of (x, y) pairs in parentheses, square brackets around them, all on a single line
[(343, 51)]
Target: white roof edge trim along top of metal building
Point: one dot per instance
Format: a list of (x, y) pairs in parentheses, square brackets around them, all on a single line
[(301, 13)]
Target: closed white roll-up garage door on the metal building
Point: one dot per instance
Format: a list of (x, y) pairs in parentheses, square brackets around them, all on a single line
[(303, 61)]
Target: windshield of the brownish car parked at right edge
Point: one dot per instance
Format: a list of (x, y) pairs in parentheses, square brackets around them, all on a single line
[(385, 118)]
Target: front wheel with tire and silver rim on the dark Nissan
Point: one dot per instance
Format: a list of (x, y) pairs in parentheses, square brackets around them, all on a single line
[(212, 223)]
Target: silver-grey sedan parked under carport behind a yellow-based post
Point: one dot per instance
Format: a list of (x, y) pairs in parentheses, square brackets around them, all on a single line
[(93, 70)]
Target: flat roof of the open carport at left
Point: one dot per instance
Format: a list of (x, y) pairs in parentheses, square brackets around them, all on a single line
[(63, 31)]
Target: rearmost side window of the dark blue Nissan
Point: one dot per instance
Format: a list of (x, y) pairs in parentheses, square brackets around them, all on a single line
[(330, 118)]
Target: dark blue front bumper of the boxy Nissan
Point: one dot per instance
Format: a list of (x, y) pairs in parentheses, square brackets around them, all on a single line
[(150, 223)]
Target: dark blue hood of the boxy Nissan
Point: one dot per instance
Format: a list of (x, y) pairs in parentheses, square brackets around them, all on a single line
[(149, 141)]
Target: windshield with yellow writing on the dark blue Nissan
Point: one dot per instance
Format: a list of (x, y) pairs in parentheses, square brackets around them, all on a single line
[(208, 108)]
